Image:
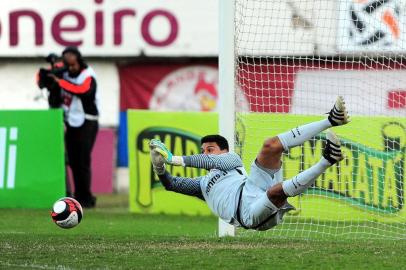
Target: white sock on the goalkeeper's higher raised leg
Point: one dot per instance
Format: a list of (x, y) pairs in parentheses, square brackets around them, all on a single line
[(299, 135)]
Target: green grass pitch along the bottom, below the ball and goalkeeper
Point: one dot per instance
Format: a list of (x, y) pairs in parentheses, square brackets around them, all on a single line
[(111, 238)]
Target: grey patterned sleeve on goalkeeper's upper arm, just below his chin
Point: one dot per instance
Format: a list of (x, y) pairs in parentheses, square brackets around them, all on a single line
[(225, 162)]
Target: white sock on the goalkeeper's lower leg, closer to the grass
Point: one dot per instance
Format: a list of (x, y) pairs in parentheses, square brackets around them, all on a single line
[(305, 179)]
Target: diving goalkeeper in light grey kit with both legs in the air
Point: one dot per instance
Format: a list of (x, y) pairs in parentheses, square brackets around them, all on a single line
[(257, 201)]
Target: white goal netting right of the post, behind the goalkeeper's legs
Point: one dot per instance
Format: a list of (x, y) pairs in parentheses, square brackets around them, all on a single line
[(293, 58)]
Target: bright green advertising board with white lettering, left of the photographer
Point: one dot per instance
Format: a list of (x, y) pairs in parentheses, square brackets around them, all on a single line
[(32, 165)]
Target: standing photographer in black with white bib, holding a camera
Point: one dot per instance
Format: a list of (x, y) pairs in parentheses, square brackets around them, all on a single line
[(73, 87)]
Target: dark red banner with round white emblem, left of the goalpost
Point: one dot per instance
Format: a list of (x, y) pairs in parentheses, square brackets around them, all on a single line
[(169, 87)]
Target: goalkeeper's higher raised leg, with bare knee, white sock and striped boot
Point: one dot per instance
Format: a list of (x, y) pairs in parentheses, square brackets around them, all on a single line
[(271, 152)]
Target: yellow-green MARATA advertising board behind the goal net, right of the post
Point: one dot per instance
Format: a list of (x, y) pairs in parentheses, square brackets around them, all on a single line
[(368, 184)]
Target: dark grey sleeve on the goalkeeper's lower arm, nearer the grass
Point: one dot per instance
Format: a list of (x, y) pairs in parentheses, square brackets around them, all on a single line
[(183, 185)]
